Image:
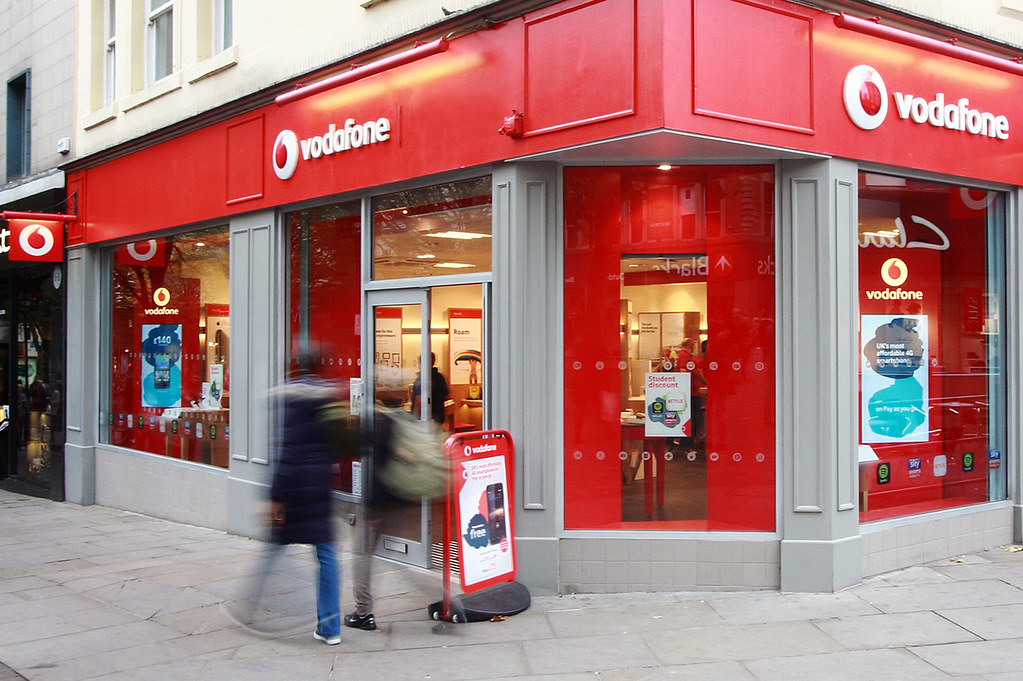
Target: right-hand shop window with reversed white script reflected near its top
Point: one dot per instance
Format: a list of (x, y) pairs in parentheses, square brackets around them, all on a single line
[(932, 383)]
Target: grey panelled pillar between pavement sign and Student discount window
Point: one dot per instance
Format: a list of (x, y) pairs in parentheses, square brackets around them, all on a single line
[(526, 347)]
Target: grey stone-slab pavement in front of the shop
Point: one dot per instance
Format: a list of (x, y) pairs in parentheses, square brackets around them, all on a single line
[(108, 596)]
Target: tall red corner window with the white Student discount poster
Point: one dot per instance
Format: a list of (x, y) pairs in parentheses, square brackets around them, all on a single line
[(670, 349)]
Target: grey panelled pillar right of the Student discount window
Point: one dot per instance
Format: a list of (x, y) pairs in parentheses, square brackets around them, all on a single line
[(822, 550)]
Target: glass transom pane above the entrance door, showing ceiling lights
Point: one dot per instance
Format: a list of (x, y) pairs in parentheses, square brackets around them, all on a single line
[(433, 232)]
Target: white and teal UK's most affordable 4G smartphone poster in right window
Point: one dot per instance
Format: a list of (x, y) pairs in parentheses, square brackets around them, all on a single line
[(895, 379)]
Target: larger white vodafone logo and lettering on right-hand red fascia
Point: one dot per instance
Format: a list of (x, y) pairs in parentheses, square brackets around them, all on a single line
[(869, 106)]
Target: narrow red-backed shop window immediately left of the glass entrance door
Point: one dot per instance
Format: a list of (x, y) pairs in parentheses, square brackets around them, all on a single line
[(326, 299)]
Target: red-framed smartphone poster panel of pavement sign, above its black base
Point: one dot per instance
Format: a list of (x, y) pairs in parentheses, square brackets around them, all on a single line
[(484, 512)]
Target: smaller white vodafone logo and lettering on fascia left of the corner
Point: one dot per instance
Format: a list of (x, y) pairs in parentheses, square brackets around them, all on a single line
[(289, 150)]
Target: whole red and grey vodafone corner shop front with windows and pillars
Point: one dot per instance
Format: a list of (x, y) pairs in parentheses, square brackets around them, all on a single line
[(744, 337)]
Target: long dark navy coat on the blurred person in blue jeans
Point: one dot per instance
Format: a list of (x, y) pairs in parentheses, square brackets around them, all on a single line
[(303, 478)]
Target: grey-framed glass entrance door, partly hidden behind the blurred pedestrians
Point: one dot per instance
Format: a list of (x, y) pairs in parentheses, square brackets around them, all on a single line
[(401, 346)]
